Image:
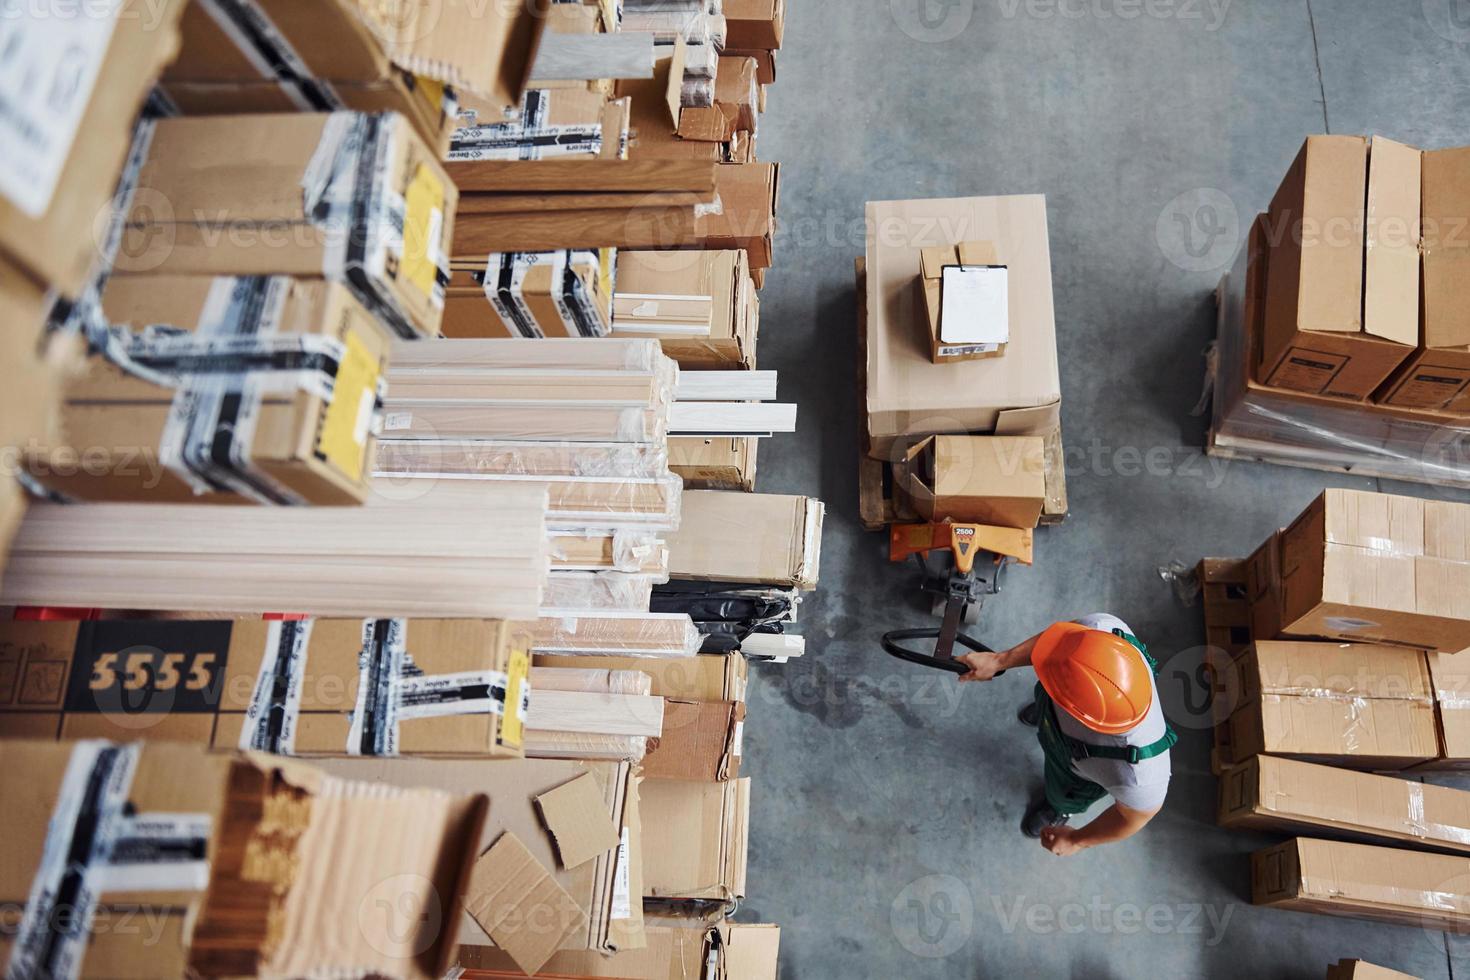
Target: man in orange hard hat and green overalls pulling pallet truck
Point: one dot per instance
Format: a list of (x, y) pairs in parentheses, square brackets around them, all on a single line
[(1100, 725)]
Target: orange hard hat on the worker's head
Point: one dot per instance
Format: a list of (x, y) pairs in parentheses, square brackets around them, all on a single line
[(1097, 678)]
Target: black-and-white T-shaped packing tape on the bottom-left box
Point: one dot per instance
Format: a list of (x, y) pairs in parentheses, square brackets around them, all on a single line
[(93, 846)]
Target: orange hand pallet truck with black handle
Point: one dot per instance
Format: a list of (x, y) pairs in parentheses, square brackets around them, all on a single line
[(981, 555)]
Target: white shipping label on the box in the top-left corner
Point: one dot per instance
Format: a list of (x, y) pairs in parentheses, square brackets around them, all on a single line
[(51, 57)]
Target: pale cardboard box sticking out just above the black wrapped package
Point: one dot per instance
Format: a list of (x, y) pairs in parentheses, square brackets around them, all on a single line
[(758, 538)]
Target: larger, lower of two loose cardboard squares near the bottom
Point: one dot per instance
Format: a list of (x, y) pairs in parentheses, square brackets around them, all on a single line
[(521, 906)]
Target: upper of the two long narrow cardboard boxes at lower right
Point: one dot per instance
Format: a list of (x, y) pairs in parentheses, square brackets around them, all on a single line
[(1283, 796)]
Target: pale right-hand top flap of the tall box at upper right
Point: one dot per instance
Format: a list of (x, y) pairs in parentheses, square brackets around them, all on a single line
[(1391, 243)]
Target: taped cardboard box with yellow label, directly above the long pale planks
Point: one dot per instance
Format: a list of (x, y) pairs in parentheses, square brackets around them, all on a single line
[(293, 434)]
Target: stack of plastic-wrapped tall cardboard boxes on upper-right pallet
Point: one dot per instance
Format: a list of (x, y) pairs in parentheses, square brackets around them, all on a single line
[(1340, 339)]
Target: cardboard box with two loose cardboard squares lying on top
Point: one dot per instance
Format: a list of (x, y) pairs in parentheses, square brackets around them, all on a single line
[(592, 907)]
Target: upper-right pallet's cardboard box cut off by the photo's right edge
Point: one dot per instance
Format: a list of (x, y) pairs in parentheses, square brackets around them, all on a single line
[(1438, 375)]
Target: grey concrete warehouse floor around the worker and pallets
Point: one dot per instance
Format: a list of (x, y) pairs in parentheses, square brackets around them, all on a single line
[(887, 800)]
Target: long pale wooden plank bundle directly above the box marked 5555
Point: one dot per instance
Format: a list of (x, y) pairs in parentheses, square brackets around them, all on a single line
[(440, 552)]
